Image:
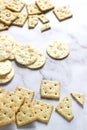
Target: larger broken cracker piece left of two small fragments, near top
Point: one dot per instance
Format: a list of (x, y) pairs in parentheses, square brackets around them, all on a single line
[(32, 21)]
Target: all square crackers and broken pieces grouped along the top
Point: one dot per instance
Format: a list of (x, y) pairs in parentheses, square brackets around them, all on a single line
[(10, 14)]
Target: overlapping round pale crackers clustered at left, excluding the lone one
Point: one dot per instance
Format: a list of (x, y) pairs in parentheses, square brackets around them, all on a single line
[(24, 54)]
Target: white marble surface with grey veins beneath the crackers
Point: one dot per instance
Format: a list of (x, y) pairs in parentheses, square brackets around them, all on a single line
[(71, 72)]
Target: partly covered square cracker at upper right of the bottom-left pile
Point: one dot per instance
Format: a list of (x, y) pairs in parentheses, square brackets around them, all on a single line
[(25, 92)]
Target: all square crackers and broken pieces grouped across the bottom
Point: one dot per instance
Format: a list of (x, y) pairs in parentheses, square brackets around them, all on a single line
[(18, 106)]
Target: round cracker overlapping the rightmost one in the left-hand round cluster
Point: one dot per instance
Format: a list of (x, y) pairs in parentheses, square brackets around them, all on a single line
[(24, 54)]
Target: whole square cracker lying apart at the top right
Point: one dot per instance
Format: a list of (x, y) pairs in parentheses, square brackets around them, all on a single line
[(62, 13)]
